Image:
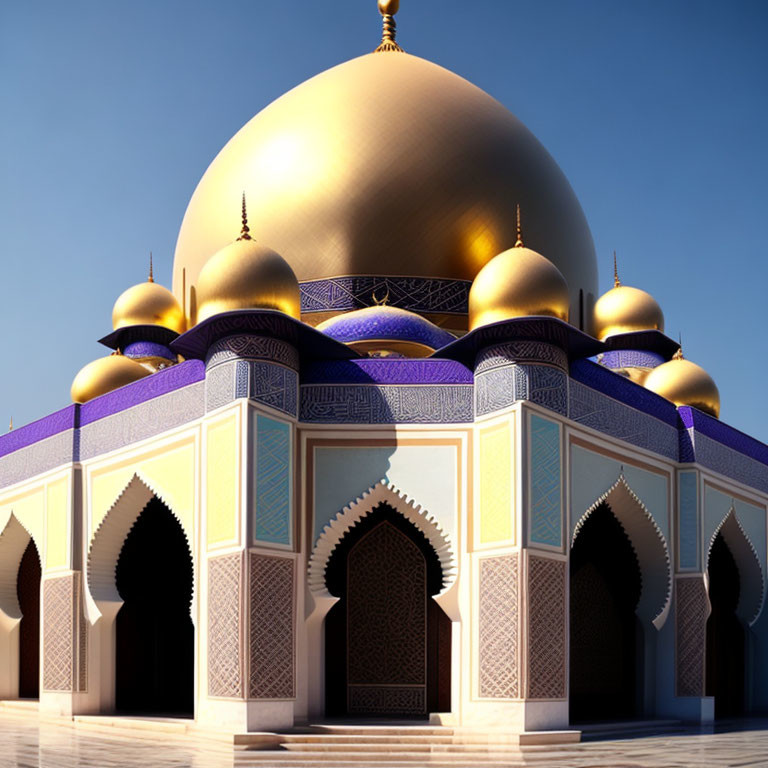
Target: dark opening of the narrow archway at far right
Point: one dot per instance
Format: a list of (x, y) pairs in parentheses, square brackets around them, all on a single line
[(725, 633)]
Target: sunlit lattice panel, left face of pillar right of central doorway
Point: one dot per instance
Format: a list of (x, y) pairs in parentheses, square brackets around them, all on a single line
[(498, 628)]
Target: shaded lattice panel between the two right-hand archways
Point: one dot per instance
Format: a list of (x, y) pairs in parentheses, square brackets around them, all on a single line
[(691, 611)]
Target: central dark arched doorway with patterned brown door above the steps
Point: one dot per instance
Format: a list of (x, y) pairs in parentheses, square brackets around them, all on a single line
[(388, 643)]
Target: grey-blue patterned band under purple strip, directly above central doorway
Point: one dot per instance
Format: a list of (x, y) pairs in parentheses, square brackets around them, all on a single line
[(386, 404)]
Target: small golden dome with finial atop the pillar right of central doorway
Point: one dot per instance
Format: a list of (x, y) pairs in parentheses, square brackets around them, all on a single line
[(517, 283)]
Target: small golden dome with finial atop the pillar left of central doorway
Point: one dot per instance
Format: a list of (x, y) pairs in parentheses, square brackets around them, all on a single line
[(246, 275)]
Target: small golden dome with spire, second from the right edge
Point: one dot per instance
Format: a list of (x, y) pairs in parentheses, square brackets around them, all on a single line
[(624, 309)]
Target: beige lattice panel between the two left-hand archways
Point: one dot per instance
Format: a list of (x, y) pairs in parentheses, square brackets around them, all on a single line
[(58, 633)]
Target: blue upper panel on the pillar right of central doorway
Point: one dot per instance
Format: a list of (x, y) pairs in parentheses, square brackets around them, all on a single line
[(546, 526)]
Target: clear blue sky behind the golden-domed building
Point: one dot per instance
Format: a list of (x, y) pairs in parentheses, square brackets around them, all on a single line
[(110, 112)]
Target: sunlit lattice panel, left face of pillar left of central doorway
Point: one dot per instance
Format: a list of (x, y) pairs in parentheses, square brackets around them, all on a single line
[(224, 656)]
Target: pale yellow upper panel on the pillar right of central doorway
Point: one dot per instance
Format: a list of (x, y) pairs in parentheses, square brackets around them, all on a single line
[(496, 513)]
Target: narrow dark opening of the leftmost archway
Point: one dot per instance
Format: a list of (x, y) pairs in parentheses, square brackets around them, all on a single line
[(28, 592)]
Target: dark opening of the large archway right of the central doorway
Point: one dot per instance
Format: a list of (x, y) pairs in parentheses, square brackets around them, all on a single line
[(606, 636)]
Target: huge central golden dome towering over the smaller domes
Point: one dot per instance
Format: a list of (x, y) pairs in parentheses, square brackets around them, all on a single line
[(388, 165)]
